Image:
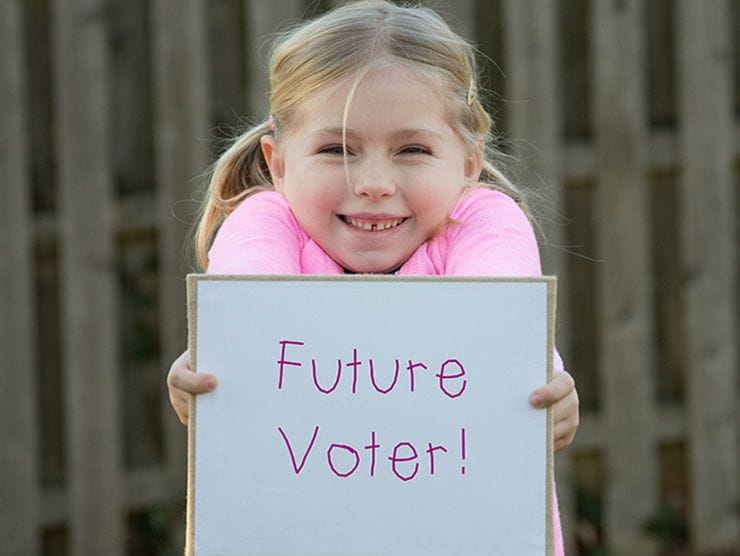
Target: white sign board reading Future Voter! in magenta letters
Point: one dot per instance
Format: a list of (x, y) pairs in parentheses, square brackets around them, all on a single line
[(370, 415)]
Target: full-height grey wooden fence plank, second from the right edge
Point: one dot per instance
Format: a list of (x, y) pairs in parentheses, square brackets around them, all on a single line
[(625, 300)]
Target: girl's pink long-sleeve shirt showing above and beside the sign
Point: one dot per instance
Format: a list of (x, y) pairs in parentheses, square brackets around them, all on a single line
[(488, 235)]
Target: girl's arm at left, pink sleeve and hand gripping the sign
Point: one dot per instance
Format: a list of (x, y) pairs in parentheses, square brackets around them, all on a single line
[(260, 236)]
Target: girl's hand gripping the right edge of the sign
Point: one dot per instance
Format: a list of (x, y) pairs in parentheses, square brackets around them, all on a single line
[(560, 394)]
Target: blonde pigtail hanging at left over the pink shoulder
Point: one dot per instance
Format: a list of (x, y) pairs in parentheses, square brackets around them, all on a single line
[(239, 172)]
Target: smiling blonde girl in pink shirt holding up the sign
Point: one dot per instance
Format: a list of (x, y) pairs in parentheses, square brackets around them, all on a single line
[(376, 159)]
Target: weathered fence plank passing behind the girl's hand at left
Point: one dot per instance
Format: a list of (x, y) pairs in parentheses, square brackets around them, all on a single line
[(181, 121)]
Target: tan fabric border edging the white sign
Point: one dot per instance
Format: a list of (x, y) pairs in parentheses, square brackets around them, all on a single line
[(192, 287)]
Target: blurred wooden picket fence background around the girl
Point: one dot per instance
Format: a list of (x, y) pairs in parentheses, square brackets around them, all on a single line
[(622, 117)]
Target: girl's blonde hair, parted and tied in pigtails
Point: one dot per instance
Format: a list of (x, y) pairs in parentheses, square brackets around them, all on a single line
[(348, 41)]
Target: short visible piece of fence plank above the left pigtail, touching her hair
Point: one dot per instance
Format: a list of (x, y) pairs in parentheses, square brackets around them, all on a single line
[(263, 20)]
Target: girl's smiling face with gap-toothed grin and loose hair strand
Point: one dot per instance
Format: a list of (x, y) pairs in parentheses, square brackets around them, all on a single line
[(406, 166)]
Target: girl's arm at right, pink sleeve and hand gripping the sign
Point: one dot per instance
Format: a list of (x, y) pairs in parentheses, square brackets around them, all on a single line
[(493, 237)]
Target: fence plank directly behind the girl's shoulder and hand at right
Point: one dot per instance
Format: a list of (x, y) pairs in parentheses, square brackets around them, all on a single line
[(530, 29)]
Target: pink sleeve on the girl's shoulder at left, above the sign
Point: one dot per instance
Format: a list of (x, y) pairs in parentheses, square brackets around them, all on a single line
[(261, 236)]
